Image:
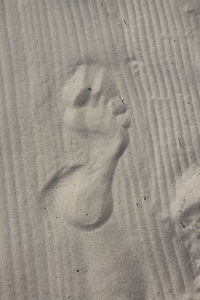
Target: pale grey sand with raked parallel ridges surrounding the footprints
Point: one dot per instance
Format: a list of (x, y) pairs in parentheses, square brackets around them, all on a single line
[(153, 49)]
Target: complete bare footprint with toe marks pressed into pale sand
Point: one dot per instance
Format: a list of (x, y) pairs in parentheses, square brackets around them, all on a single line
[(95, 118)]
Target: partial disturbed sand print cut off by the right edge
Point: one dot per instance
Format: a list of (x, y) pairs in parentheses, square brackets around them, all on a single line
[(186, 216)]
